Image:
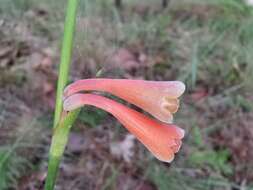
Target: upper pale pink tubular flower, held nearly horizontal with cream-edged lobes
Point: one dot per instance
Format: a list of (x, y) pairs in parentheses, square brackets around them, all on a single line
[(159, 98)]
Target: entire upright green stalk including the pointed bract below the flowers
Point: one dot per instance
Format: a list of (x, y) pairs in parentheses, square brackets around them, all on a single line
[(63, 125)]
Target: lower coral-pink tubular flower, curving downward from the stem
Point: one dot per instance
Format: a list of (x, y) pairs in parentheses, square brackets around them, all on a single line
[(163, 140)]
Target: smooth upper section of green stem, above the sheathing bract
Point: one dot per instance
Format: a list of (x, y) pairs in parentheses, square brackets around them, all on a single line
[(69, 28)]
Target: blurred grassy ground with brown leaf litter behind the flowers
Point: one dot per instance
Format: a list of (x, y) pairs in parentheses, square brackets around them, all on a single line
[(207, 44)]
